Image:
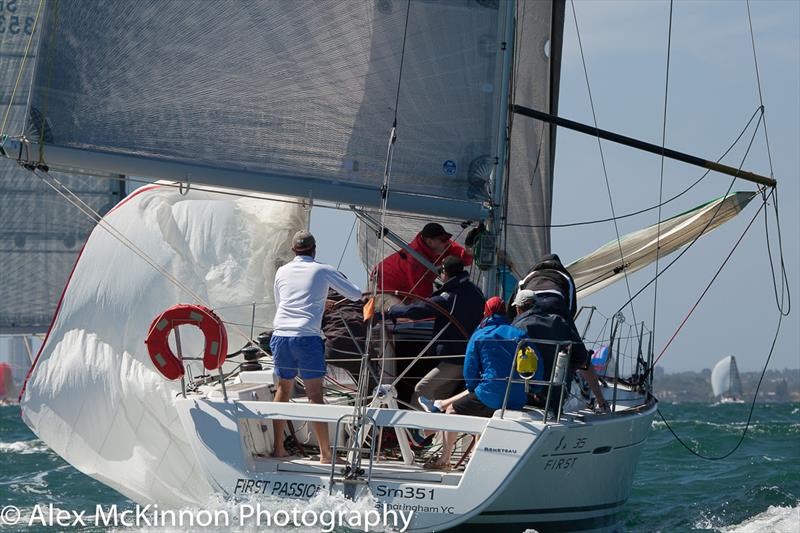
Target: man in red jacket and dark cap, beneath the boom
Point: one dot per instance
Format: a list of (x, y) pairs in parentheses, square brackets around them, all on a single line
[(401, 272)]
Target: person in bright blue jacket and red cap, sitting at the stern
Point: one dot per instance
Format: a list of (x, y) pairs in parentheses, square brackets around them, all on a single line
[(490, 356)]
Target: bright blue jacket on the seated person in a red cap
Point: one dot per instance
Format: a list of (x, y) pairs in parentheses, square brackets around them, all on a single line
[(490, 355)]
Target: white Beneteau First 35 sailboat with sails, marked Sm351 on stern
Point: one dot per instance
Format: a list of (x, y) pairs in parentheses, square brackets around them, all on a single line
[(397, 111)]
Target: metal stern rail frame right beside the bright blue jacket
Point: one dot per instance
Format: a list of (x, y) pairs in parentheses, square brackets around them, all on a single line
[(559, 375)]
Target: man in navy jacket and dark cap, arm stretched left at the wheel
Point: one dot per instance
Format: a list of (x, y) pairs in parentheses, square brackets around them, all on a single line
[(464, 301)]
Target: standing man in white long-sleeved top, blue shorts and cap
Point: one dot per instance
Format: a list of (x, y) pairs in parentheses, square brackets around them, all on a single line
[(298, 344)]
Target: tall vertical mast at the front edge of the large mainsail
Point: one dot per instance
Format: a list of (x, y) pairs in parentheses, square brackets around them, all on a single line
[(492, 239)]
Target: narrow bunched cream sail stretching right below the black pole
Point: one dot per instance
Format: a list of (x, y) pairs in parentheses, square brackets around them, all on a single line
[(604, 266)]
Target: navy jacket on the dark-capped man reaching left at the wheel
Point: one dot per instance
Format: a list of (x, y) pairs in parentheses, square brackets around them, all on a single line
[(463, 299)]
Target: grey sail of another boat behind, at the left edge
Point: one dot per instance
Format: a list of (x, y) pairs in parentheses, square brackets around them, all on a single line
[(40, 234)]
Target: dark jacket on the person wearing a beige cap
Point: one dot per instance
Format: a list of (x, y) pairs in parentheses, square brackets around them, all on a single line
[(550, 319)]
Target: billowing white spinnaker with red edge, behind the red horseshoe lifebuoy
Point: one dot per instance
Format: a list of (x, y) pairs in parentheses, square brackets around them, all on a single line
[(93, 395)]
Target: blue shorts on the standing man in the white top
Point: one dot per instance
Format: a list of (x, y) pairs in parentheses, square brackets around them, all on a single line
[(306, 354)]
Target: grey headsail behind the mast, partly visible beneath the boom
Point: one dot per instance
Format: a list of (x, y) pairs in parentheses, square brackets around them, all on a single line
[(535, 79)]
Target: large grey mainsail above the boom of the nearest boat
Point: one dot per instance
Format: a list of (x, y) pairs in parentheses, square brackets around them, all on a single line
[(286, 96)]
